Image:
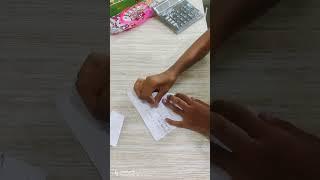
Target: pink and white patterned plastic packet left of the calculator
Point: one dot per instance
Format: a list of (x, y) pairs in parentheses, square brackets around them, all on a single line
[(130, 18)]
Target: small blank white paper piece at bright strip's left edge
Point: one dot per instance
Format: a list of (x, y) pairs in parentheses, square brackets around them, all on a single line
[(116, 122)]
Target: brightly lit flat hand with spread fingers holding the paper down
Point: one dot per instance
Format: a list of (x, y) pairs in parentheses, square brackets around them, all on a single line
[(195, 113)]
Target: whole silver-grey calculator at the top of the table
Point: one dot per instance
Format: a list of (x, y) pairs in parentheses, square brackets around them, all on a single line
[(178, 15)]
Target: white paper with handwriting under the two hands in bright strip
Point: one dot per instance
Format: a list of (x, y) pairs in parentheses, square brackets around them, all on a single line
[(154, 118)]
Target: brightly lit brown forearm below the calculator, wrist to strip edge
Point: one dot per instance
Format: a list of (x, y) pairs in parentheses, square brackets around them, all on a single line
[(195, 53)]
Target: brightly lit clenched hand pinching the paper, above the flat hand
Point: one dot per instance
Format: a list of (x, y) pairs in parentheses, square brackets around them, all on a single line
[(160, 83)]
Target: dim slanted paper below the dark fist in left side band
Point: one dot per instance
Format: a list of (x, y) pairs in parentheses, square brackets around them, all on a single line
[(90, 133)]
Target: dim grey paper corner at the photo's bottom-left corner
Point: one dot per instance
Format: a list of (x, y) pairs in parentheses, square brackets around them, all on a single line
[(12, 169)]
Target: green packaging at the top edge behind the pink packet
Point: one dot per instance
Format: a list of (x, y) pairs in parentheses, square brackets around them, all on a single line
[(117, 6)]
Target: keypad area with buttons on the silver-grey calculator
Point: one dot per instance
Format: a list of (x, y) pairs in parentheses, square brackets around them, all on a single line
[(181, 16)]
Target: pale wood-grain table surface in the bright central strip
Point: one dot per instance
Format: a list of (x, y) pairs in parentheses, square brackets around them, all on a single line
[(146, 50)]
